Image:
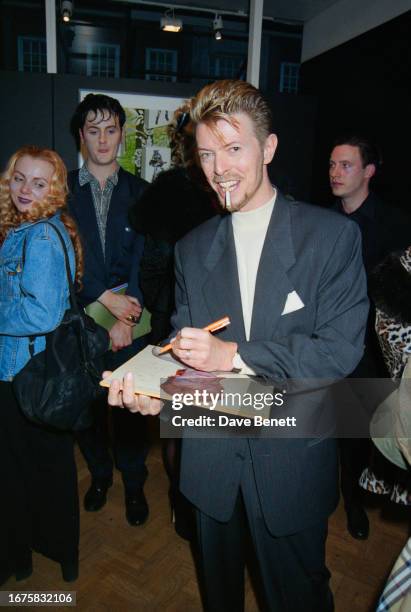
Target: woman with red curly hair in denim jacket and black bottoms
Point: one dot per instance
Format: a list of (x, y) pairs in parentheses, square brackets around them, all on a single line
[(39, 510)]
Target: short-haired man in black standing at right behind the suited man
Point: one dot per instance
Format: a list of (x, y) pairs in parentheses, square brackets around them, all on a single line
[(354, 162)]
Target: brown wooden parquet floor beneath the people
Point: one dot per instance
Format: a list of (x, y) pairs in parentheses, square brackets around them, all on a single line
[(149, 568)]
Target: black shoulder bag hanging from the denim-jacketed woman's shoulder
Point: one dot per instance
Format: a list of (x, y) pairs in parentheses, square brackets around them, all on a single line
[(57, 385)]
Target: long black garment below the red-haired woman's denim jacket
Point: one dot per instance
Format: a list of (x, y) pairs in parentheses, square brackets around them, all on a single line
[(38, 479)]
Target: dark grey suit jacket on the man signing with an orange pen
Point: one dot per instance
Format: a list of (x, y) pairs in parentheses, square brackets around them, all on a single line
[(316, 253)]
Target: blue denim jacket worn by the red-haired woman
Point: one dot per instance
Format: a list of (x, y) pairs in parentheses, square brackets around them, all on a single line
[(33, 297)]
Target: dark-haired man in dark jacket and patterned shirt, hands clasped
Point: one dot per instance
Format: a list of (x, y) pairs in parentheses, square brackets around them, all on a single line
[(101, 194)]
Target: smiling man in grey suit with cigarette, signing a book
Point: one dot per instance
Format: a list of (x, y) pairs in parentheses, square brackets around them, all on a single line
[(290, 277)]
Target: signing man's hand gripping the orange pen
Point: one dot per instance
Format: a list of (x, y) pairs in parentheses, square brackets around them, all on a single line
[(202, 351)]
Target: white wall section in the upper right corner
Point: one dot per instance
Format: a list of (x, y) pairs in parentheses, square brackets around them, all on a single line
[(347, 19)]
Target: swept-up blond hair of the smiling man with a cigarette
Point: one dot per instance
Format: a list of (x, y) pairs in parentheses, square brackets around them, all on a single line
[(222, 99)]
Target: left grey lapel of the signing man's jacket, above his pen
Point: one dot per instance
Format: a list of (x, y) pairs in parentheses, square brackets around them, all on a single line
[(221, 289)]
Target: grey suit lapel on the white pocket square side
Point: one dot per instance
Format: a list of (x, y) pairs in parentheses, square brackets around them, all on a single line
[(272, 283)]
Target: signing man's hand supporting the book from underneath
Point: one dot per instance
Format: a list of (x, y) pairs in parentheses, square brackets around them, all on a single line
[(126, 398)]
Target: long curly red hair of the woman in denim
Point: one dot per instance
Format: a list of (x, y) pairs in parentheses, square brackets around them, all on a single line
[(10, 217)]
